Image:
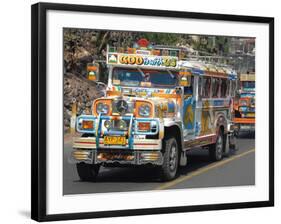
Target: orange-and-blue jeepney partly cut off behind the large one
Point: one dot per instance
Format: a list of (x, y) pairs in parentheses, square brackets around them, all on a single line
[(244, 105)]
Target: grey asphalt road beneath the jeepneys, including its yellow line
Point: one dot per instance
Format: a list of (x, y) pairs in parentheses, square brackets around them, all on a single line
[(236, 170)]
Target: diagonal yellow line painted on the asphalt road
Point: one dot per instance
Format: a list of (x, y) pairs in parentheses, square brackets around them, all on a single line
[(202, 170)]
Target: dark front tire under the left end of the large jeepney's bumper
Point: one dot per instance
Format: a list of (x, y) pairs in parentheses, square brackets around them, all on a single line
[(87, 172)]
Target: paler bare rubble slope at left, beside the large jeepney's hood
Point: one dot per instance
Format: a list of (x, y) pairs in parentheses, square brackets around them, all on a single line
[(80, 91)]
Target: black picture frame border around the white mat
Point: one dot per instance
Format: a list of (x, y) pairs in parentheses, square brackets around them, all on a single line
[(39, 115)]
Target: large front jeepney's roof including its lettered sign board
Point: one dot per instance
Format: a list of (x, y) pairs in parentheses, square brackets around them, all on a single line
[(152, 59)]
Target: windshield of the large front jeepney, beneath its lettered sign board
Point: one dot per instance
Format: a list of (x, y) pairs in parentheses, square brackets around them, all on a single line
[(144, 78)]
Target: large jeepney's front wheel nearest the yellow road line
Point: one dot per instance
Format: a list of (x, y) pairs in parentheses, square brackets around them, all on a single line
[(168, 169)]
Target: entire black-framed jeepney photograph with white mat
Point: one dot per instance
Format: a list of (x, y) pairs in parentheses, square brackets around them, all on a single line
[(139, 111)]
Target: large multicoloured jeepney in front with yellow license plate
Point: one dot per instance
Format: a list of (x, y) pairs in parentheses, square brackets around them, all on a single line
[(156, 108)]
